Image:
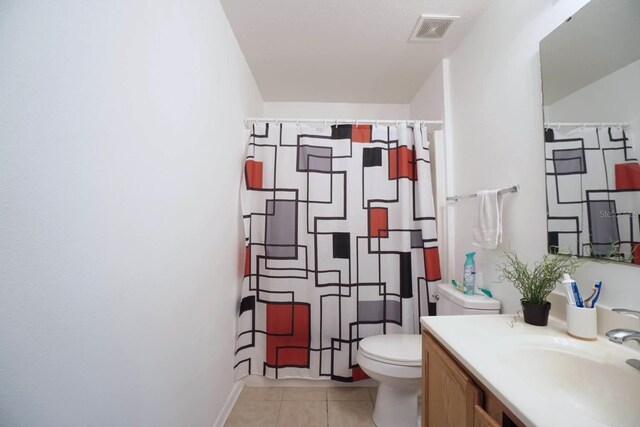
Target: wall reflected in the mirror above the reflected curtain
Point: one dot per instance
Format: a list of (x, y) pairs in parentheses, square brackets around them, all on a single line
[(613, 98)]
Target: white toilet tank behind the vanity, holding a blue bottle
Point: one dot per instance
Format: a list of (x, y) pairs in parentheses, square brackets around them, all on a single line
[(453, 302)]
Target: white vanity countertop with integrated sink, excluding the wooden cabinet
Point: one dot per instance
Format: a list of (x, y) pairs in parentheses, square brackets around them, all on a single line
[(505, 356)]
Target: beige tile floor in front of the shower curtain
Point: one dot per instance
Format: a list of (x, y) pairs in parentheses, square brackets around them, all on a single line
[(303, 406)]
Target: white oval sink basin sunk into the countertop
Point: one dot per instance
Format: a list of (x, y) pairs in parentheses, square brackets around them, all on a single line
[(595, 382)]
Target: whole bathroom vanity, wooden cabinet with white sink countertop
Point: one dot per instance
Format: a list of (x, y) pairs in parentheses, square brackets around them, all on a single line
[(497, 371)]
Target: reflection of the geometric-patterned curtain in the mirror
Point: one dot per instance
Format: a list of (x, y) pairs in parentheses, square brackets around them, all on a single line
[(593, 191)]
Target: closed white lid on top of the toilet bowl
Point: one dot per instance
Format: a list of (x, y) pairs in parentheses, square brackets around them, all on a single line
[(395, 349)]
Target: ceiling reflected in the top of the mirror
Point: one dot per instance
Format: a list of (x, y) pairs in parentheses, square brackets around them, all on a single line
[(601, 38)]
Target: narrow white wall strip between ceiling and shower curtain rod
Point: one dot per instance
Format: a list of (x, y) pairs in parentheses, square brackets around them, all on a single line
[(335, 110)]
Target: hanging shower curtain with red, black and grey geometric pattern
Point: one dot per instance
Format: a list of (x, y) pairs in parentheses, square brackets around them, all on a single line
[(340, 238)]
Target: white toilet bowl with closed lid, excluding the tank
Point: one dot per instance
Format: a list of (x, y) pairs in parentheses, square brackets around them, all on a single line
[(395, 361)]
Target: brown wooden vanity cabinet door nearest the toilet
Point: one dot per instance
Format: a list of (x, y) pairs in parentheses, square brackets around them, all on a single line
[(450, 394)]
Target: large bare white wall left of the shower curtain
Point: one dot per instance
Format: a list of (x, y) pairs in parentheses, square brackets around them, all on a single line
[(120, 159)]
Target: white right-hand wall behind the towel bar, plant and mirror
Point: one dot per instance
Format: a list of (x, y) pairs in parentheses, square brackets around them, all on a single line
[(497, 138)]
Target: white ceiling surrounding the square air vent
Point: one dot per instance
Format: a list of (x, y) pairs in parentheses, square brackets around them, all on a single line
[(343, 50)]
